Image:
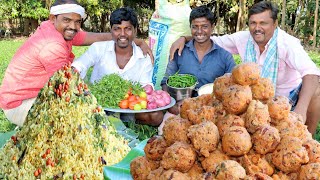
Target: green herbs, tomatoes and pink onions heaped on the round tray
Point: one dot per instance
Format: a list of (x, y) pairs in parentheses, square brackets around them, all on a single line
[(113, 91)]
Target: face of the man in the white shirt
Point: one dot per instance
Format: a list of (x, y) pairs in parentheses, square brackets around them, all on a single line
[(123, 34)]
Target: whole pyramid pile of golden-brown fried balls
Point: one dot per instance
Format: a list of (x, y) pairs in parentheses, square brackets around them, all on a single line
[(241, 131)]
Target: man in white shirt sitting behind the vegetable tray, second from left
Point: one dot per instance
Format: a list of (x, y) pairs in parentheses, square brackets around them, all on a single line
[(121, 56)]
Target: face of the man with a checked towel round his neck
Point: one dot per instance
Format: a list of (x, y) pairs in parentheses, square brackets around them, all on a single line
[(261, 27)]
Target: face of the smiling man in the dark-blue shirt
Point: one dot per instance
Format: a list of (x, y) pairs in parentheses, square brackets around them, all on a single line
[(201, 29)]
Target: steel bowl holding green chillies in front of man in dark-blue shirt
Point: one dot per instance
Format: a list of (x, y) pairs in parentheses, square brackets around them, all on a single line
[(181, 93)]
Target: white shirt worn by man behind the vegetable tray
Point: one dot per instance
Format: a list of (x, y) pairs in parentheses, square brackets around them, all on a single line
[(101, 55)]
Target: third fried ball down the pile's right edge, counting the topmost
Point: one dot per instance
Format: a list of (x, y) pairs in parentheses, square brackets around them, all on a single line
[(279, 107)]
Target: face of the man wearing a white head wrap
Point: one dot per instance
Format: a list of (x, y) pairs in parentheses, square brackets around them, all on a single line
[(67, 24)]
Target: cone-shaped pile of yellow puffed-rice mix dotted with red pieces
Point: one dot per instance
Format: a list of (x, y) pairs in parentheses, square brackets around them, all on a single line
[(66, 135)]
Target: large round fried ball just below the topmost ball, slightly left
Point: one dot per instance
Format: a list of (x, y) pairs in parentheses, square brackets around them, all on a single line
[(236, 99)]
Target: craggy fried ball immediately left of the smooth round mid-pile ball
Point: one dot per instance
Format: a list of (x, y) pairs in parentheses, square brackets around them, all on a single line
[(204, 137)]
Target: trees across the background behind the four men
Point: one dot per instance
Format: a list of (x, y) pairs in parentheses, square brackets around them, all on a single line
[(297, 17)]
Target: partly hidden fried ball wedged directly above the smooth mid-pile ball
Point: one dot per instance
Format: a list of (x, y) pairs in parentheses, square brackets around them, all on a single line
[(225, 122)]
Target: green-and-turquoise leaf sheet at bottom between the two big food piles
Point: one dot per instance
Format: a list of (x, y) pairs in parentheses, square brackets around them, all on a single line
[(122, 169)]
